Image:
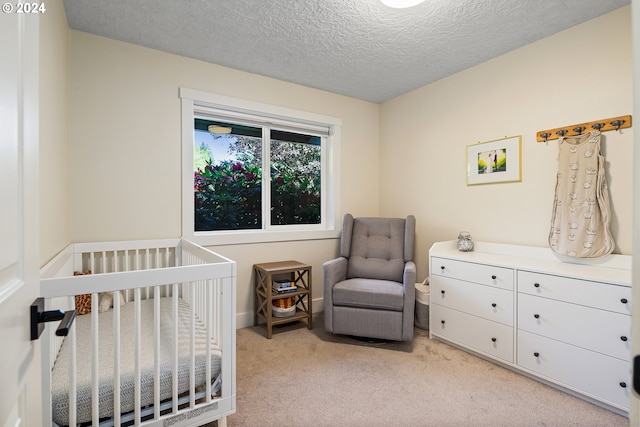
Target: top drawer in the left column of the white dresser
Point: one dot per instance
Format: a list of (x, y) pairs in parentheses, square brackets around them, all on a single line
[(489, 275)]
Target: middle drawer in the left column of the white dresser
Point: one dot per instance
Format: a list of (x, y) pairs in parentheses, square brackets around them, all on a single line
[(484, 301)]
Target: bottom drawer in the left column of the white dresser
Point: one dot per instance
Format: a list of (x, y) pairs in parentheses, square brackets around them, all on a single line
[(485, 336)]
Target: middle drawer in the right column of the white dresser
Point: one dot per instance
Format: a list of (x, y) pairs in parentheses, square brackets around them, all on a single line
[(598, 330)]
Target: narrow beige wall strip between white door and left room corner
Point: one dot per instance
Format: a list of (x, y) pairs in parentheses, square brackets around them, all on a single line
[(54, 135)]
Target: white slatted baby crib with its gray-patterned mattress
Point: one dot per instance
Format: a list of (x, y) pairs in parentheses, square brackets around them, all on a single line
[(151, 344)]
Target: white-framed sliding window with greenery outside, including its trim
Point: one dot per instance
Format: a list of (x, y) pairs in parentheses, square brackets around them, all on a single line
[(254, 172)]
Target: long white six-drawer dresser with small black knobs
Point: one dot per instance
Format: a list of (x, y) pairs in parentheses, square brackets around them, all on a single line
[(565, 322)]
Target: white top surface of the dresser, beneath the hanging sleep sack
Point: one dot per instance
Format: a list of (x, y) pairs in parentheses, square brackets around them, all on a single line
[(614, 269)]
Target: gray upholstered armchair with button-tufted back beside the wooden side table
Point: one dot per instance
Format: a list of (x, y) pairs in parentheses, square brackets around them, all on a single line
[(369, 291)]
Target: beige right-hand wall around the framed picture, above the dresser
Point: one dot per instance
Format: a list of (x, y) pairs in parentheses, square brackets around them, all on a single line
[(581, 74)]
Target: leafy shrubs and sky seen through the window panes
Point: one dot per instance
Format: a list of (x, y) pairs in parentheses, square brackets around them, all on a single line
[(228, 176)]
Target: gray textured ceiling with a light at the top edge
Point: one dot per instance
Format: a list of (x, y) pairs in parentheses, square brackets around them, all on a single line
[(358, 48)]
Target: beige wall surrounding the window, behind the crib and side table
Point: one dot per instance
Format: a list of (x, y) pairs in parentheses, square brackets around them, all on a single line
[(125, 148)]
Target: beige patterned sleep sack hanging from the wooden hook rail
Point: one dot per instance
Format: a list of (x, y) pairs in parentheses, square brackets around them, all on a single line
[(581, 208)]
